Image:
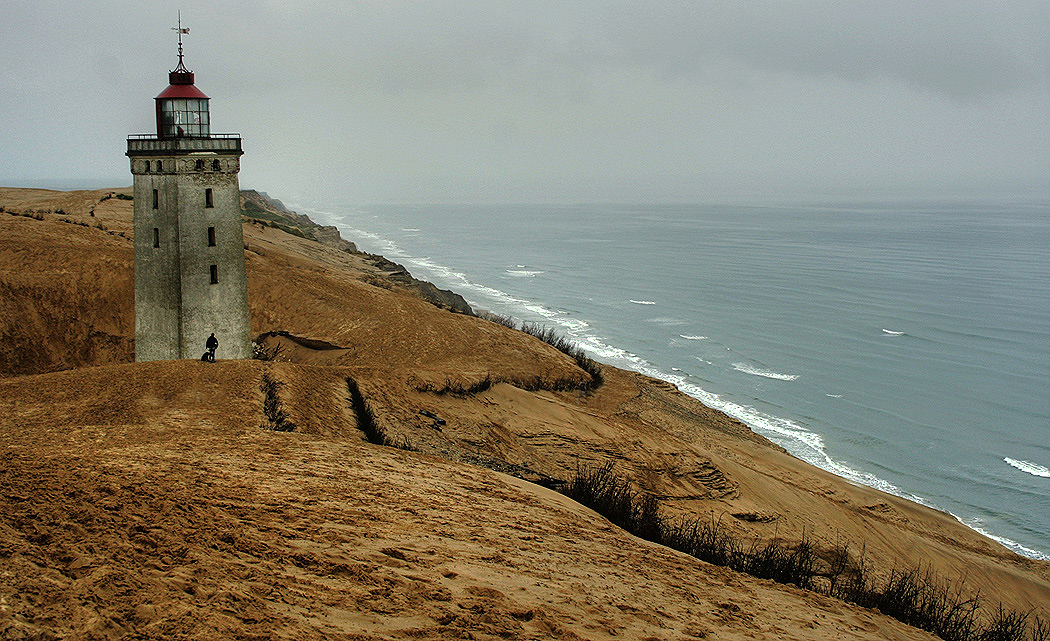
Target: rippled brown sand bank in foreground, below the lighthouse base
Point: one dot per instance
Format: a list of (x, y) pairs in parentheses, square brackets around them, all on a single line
[(190, 522)]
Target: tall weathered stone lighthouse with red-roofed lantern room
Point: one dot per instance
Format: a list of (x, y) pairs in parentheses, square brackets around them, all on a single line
[(190, 260)]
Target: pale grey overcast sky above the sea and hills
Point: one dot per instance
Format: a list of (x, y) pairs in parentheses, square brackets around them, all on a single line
[(562, 101)]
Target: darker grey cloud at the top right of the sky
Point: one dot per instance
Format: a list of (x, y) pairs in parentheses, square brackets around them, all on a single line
[(961, 50)]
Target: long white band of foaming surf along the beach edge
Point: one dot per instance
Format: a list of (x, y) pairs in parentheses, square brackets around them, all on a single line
[(802, 443)]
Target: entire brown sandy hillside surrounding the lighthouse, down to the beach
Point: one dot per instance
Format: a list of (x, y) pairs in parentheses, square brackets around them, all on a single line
[(149, 500)]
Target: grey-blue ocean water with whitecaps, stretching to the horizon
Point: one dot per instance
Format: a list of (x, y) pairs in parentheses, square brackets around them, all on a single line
[(905, 346)]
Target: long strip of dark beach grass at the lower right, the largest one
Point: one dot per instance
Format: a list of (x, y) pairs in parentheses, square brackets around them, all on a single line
[(916, 597)]
